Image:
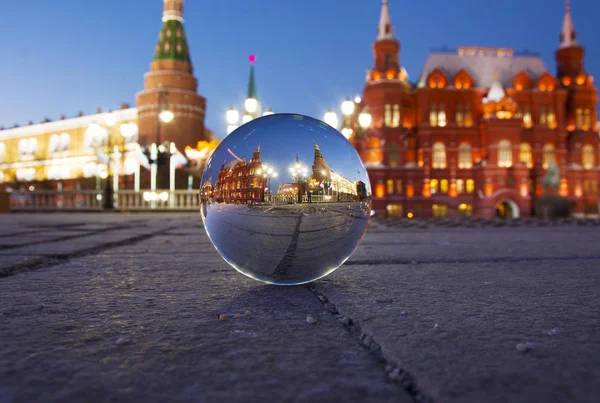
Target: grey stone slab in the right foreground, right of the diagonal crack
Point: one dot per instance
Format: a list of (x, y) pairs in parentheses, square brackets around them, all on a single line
[(456, 328)]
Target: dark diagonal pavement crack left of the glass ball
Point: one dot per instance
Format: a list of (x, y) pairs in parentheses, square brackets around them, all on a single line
[(53, 260)]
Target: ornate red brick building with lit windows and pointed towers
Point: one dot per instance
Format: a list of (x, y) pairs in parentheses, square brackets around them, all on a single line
[(475, 134)]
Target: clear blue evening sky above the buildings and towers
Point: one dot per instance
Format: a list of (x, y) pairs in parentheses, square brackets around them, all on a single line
[(66, 56)]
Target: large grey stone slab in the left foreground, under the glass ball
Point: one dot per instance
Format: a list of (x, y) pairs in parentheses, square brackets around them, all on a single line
[(124, 329)]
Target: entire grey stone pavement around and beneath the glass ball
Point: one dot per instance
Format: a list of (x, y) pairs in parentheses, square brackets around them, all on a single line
[(123, 308)]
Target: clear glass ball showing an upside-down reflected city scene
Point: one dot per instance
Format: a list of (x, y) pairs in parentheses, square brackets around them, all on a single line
[(285, 199)]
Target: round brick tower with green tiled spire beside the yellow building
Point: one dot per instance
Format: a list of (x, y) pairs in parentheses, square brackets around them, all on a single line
[(170, 85)]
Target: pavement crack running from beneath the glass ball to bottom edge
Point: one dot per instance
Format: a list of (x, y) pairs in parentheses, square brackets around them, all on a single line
[(395, 373)]
